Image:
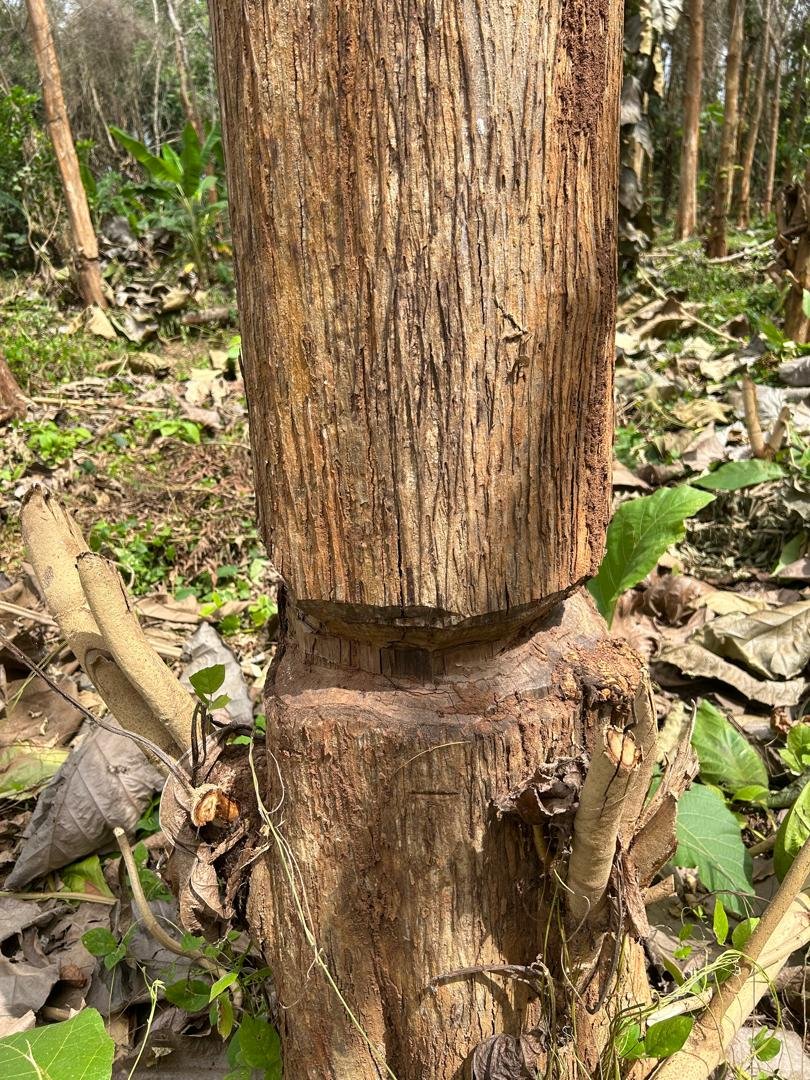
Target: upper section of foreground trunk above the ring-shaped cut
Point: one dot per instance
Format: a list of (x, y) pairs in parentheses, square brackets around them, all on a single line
[(426, 247)]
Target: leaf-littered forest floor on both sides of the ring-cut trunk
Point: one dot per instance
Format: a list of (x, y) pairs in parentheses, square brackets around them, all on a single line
[(147, 445)]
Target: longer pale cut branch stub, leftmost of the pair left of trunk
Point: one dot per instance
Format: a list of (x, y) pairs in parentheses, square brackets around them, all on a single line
[(55, 542)]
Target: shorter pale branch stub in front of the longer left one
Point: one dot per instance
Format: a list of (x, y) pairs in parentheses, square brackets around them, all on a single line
[(170, 704)]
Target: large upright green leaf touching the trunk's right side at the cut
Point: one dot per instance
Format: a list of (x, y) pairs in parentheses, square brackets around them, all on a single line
[(640, 533)]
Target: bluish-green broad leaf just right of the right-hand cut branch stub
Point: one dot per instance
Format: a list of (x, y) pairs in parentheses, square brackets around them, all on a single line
[(710, 841)]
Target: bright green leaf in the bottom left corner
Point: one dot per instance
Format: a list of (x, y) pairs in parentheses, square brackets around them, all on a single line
[(78, 1049)]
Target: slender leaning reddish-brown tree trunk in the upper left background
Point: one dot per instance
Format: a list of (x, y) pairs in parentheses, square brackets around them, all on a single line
[(83, 236)]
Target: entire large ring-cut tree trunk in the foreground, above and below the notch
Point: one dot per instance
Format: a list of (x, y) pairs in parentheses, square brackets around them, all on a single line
[(424, 209)]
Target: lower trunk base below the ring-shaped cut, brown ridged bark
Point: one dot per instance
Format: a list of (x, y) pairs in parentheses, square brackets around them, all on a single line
[(385, 784)]
